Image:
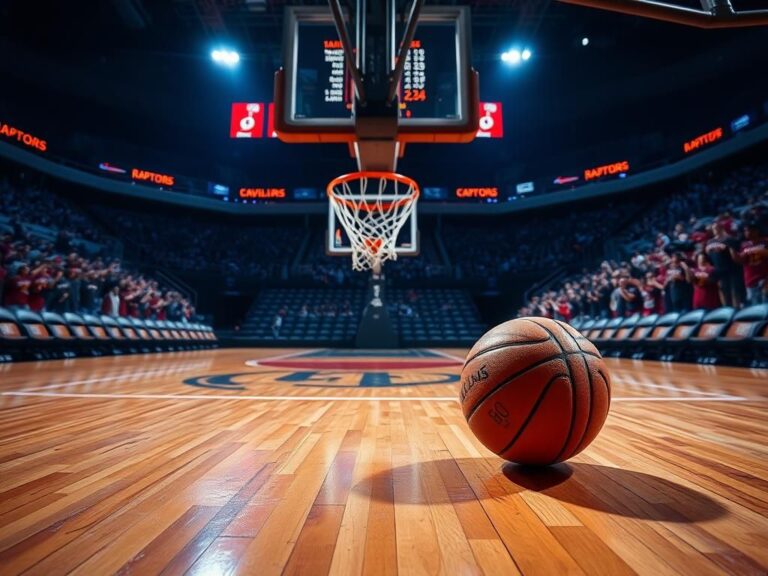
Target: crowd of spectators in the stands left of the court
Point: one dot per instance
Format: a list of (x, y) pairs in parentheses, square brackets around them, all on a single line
[(47, 266)]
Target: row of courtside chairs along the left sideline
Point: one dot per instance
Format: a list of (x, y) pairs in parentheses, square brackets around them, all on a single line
[(25, 335)]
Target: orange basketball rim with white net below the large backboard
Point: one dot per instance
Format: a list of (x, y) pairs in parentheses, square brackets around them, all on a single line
[(373, 207)]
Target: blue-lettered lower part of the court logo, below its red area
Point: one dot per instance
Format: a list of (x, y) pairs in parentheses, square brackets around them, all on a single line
[(321, 379)]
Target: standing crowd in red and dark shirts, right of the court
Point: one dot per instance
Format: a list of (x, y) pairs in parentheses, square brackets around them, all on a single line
[(679, 261)]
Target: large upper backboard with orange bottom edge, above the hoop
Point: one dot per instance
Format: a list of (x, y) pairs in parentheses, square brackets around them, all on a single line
[(437, 97)]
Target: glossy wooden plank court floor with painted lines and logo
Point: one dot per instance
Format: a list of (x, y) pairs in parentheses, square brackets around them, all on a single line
[(311, 462)]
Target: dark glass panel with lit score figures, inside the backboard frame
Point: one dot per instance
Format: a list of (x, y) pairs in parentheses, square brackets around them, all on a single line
[(433, 89)]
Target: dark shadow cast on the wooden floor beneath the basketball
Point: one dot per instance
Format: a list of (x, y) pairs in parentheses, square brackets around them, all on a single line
[(625, 493)]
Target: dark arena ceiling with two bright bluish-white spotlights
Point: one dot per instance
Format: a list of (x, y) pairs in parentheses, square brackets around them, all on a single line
[(138, 72)]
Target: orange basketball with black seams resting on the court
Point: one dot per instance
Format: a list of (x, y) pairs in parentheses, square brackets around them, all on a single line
[(535, 391)]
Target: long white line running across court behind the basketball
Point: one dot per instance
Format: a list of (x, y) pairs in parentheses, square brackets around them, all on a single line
[(350, 399)]
